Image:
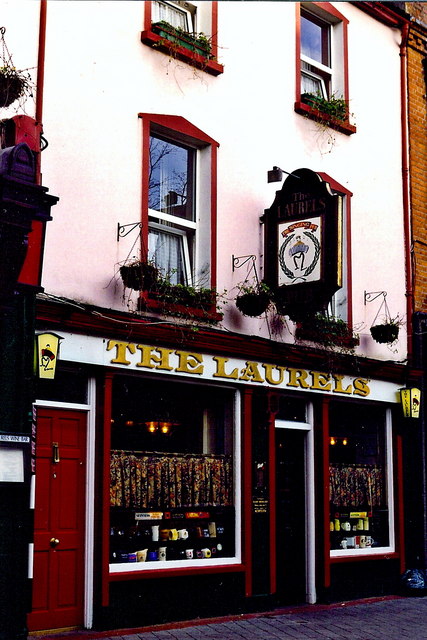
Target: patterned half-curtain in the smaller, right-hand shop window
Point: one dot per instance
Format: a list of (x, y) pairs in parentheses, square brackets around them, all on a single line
[(356, 485)]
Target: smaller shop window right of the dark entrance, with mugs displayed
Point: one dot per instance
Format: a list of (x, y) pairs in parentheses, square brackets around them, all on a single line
[(360, 480)]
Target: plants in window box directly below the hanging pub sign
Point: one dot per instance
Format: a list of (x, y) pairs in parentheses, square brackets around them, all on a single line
[(327, 331)]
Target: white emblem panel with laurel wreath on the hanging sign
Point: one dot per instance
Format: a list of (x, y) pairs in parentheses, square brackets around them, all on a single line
[(300, 251)]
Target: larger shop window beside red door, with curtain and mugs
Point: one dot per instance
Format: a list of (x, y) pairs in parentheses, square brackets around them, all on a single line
[(173, 483)]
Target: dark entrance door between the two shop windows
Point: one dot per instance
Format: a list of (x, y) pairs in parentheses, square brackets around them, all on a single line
[(291, 515)]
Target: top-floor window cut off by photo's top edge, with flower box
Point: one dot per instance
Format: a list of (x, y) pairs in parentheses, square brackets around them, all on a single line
[(185, 31)]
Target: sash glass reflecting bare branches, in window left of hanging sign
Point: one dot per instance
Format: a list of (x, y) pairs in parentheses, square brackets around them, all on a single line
[(172, 225)]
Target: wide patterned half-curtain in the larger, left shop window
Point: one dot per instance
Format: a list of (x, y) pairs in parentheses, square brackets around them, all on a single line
[(165, 481)]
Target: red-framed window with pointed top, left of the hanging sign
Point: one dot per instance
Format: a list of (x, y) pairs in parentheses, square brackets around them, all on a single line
[(179, 199)]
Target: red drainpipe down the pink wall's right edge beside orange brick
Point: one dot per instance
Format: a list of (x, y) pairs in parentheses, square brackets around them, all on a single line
[(405, 181)]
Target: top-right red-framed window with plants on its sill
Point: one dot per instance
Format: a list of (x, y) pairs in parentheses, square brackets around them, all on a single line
[(322, 62)]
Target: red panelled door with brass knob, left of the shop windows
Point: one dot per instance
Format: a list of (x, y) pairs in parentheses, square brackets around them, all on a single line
[(58, 581)]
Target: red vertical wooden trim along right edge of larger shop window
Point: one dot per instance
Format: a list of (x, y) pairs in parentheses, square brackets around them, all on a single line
[(247, 396)]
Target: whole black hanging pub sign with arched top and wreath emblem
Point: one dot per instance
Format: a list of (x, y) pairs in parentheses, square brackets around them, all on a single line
[(303, 240)]
